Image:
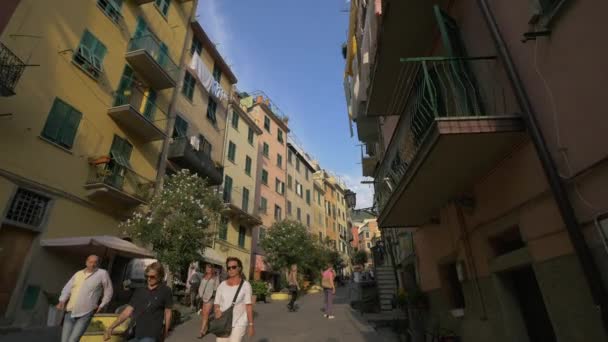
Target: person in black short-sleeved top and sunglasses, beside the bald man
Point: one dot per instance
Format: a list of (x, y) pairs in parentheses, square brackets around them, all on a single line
[(149, 307)]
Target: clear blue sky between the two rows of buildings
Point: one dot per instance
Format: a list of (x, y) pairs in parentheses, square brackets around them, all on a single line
[(291, 50)]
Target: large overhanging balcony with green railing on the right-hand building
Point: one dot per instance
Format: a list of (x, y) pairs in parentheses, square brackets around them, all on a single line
[(457, 121)]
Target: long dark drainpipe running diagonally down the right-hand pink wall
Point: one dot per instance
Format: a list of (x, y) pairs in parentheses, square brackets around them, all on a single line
[(584, 256)]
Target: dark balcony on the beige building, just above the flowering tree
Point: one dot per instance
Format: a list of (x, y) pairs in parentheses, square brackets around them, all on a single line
[(185, 155)]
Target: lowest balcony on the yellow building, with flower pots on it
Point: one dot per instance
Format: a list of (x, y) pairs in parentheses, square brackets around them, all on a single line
[(110, 180)]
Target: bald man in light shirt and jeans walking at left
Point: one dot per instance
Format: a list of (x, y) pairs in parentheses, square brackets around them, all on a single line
[(82, 294)]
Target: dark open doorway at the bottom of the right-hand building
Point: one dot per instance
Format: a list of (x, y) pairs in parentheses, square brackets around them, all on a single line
[(525, 290)]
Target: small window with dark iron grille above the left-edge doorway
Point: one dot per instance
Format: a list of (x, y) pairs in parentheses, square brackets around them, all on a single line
[(27, 208)]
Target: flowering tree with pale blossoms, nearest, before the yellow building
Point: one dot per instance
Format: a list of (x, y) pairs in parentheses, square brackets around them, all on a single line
[(177, 221)]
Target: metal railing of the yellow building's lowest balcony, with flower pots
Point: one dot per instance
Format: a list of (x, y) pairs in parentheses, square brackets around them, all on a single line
[(122, 178)]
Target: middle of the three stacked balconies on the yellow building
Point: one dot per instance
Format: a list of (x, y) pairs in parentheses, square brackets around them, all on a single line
[(139, 115)]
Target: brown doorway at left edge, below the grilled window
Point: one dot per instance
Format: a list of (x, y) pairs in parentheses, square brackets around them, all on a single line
[(15, 245)]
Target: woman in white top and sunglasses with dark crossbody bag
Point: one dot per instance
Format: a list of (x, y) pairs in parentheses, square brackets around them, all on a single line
[(242, 316)]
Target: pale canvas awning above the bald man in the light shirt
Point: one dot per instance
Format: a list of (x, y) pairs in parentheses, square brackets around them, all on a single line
[(98, 245)]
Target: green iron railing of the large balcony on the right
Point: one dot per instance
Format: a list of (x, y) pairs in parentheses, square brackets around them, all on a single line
[(433, 88)]
